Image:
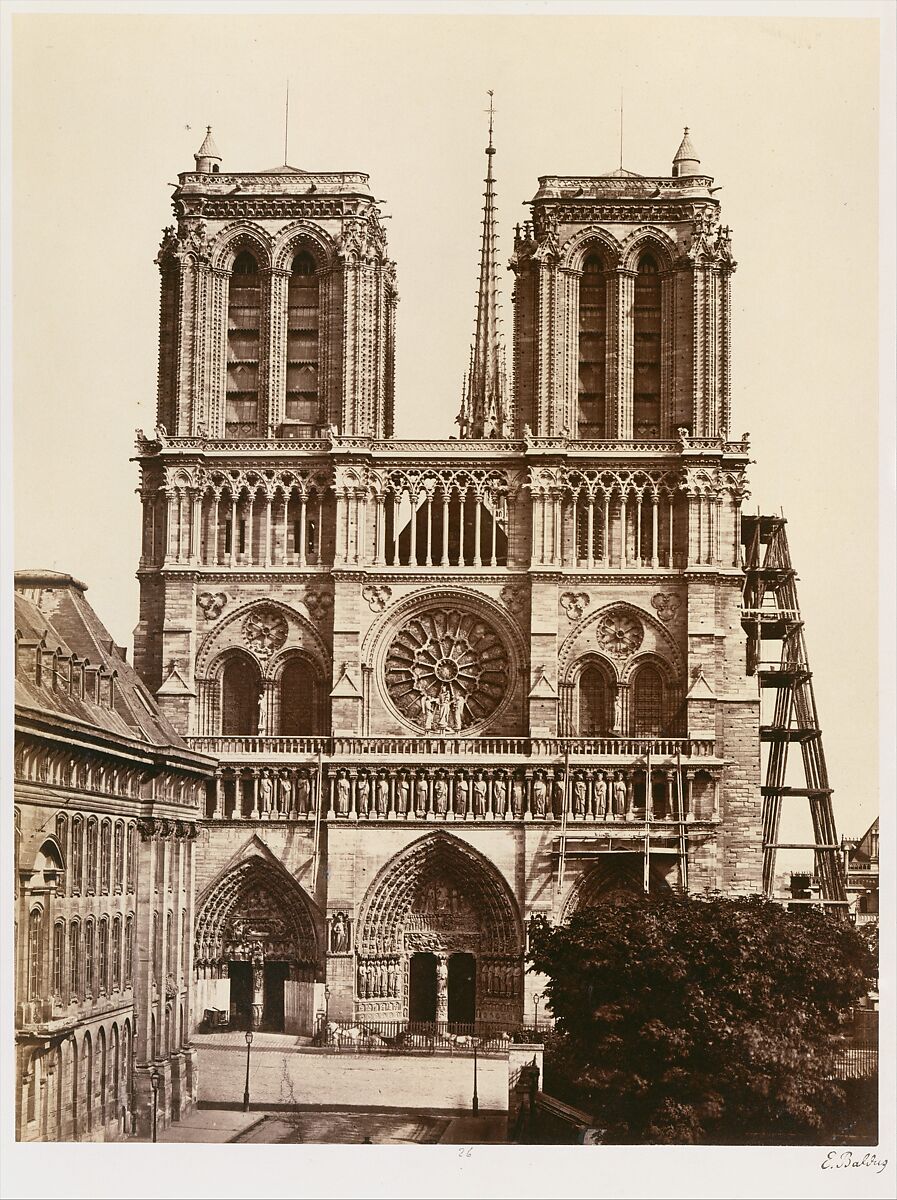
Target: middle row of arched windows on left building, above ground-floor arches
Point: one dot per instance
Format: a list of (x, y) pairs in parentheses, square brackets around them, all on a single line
[(89, 958)]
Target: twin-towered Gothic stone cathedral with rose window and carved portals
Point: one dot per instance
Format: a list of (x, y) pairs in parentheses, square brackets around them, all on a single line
[(448, 685)]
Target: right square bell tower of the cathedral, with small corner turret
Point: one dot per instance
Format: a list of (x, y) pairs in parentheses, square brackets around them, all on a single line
[(623, 309)]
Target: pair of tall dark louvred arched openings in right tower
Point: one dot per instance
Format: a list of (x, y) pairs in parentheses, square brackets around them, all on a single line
[(597, 340)]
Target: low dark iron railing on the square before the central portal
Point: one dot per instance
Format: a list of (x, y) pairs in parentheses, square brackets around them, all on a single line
[(417, 1037)]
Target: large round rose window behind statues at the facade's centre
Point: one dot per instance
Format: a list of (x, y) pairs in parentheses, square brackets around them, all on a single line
[(447, 670)]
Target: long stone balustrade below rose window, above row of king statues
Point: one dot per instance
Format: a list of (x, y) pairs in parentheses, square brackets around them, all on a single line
[(422, 746)]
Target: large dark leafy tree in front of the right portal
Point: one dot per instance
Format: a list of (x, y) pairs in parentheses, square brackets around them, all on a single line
[(702, 1019)]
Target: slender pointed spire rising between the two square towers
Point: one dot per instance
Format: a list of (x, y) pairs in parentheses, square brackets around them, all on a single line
[(485, 411)]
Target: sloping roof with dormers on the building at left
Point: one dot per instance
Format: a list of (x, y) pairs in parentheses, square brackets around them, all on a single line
[(53, 615)]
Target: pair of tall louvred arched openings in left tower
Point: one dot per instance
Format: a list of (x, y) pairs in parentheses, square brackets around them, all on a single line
[(245, 333)]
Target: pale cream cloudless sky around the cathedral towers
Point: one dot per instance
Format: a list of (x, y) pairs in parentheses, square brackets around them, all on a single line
[(784, 113)]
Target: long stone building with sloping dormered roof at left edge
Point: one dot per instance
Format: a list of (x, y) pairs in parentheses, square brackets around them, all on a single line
[(107, 799)]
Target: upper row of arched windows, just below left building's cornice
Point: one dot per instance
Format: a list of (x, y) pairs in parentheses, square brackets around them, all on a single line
[(101, 855)]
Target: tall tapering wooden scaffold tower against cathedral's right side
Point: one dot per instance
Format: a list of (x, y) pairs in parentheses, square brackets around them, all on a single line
[(772, 614)]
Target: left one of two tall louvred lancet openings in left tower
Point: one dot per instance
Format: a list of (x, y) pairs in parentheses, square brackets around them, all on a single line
[(244, 343)]
